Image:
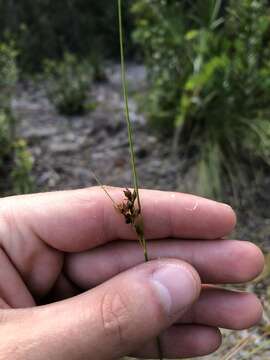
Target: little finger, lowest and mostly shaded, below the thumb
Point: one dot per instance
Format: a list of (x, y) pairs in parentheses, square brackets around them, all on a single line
[(182, 342)]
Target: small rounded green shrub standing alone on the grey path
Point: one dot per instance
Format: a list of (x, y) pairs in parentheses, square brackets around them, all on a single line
[(68, 84)]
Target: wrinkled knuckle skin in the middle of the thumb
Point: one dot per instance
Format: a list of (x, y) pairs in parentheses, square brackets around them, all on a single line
[(116, 317)]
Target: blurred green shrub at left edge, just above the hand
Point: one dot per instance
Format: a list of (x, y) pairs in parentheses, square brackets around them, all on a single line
[(15, 161)]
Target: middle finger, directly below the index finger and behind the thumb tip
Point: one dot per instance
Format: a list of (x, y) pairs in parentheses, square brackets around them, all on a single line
[(223, 261)]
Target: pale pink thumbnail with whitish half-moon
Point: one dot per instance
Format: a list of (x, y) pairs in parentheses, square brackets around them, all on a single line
[(176, 286)]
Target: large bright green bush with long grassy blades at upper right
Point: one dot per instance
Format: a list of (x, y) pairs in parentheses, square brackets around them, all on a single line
[(209, 72)]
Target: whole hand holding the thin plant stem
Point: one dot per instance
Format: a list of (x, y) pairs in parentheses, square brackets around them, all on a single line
[(73, 284)]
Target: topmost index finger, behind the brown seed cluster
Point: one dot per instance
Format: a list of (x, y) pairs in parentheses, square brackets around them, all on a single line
[(82, 219)]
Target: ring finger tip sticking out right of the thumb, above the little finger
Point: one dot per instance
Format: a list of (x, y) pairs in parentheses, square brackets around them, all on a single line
[(224, 309)]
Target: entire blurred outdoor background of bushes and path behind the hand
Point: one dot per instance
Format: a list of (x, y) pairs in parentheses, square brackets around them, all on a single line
[(199, 82)]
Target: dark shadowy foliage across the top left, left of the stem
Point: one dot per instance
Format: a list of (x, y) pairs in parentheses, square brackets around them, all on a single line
[(46, 29)]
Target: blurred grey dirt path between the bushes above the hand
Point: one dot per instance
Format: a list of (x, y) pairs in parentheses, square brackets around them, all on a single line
[(66, 149)]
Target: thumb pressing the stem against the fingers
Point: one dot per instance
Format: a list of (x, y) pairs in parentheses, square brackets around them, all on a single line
[(113, 319)]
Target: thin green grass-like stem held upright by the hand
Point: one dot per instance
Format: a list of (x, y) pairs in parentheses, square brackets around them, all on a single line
[(139, 228)]
